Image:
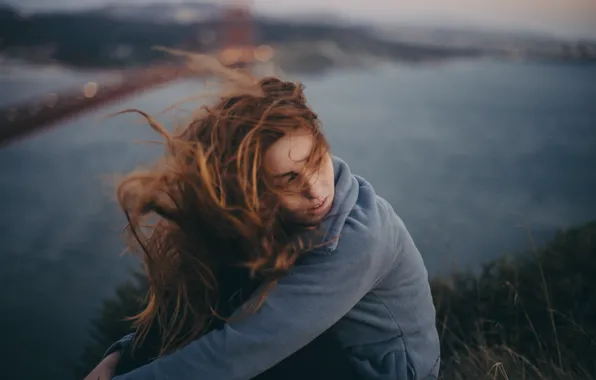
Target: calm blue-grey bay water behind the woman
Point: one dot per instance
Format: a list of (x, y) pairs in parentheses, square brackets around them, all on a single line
[(465, 152)]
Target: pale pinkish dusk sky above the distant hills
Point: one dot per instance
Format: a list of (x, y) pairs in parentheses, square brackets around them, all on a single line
[(563, 17)]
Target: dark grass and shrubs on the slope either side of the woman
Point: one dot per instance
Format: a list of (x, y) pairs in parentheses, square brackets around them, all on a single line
[(528, 317)]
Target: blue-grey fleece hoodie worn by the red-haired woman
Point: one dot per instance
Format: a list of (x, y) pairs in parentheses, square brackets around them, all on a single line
[(370, 287)]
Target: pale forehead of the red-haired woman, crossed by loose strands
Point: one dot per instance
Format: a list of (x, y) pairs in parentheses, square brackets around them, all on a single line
[(289, 153)]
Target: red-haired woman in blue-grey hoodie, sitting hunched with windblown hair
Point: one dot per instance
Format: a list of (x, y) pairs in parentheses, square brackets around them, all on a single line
[(251, 184)]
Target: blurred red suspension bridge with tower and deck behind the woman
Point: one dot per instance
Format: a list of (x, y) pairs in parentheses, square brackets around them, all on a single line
[(20, 120)]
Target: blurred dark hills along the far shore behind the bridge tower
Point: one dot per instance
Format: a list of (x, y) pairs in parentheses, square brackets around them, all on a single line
[(96, 40)]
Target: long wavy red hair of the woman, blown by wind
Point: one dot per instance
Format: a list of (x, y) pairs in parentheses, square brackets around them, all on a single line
[(214, 207)]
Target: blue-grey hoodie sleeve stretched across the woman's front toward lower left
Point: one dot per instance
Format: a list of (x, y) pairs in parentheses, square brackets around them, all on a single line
[(304, 303)]
